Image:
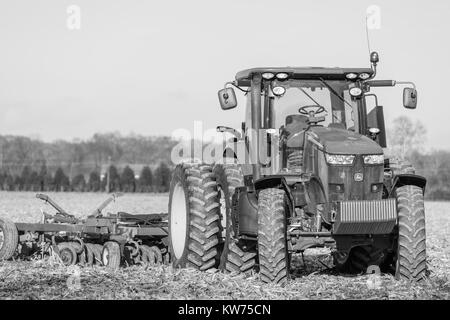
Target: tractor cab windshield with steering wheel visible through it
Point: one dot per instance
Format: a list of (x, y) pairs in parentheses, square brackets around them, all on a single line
[(334, 96)]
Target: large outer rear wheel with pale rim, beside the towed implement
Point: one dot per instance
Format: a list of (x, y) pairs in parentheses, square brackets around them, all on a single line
[(194, 222)]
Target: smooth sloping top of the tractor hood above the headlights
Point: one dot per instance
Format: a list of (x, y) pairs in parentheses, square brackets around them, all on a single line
[(341, 141)]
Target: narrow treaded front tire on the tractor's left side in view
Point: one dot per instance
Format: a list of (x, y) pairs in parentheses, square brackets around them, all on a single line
[(272, 245)]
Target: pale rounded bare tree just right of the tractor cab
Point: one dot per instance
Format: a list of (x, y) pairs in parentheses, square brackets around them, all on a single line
[(406, 136)]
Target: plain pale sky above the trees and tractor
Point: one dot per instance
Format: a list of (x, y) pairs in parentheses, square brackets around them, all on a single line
[(150, 68)]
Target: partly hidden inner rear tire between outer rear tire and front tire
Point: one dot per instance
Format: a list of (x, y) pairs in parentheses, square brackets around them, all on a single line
[(236, 257)]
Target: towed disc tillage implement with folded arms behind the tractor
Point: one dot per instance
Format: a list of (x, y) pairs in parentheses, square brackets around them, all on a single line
[(109, 240)]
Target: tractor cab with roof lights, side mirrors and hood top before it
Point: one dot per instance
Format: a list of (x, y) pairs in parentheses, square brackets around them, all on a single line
[(291, 110)]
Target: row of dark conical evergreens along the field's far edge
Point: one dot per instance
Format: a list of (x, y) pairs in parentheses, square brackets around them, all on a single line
[(124, 181)]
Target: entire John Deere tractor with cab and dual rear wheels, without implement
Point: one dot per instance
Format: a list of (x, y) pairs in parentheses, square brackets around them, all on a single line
[(307, 171)]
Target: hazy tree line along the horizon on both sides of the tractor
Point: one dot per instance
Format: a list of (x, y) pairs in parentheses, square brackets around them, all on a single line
[(31, 165)]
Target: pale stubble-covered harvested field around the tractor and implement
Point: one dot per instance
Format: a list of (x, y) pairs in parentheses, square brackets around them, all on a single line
[(315, 280)]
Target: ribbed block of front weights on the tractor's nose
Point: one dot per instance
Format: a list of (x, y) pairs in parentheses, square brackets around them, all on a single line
[(365, 217)]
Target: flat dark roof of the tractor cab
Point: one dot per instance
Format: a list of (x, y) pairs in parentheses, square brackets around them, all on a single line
[(301, 73)]
